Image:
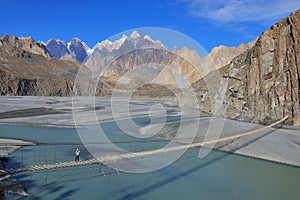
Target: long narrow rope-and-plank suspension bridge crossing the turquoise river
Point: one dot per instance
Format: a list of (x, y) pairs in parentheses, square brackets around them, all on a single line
[(110, 159)]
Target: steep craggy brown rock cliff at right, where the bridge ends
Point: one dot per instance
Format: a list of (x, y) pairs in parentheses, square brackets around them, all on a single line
[(262, 83)]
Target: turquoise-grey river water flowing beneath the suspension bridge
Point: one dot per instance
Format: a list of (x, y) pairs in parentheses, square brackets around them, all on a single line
[(219, 175)]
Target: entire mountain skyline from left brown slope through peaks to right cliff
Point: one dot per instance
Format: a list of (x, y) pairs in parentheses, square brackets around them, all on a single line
[(261, 79)]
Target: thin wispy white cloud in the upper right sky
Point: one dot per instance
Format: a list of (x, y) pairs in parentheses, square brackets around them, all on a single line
[(235, 11)]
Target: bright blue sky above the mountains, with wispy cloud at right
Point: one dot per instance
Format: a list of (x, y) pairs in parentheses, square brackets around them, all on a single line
[(209, 22)]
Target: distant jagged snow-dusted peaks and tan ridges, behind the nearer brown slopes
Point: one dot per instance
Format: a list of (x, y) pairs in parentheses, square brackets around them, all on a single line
[(113, 59)]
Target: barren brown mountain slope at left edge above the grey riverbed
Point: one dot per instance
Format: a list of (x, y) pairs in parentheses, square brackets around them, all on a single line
[(26, 73)]
